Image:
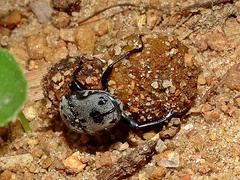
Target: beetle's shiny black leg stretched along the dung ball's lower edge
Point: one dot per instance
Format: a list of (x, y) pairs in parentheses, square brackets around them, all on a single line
[(170, 115)]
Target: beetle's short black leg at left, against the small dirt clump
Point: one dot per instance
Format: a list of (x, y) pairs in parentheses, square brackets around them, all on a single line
[(76, 85)]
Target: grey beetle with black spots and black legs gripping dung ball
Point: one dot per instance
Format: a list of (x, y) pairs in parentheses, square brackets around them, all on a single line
[(93, 111)]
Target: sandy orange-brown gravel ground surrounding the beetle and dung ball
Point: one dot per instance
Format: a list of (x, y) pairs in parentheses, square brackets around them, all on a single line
[(204, 144)]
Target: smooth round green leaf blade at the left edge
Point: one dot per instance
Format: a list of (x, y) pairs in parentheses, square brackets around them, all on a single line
[(13, 88)]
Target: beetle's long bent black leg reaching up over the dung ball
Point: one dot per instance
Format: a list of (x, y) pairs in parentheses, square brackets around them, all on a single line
[(109, 69)]
